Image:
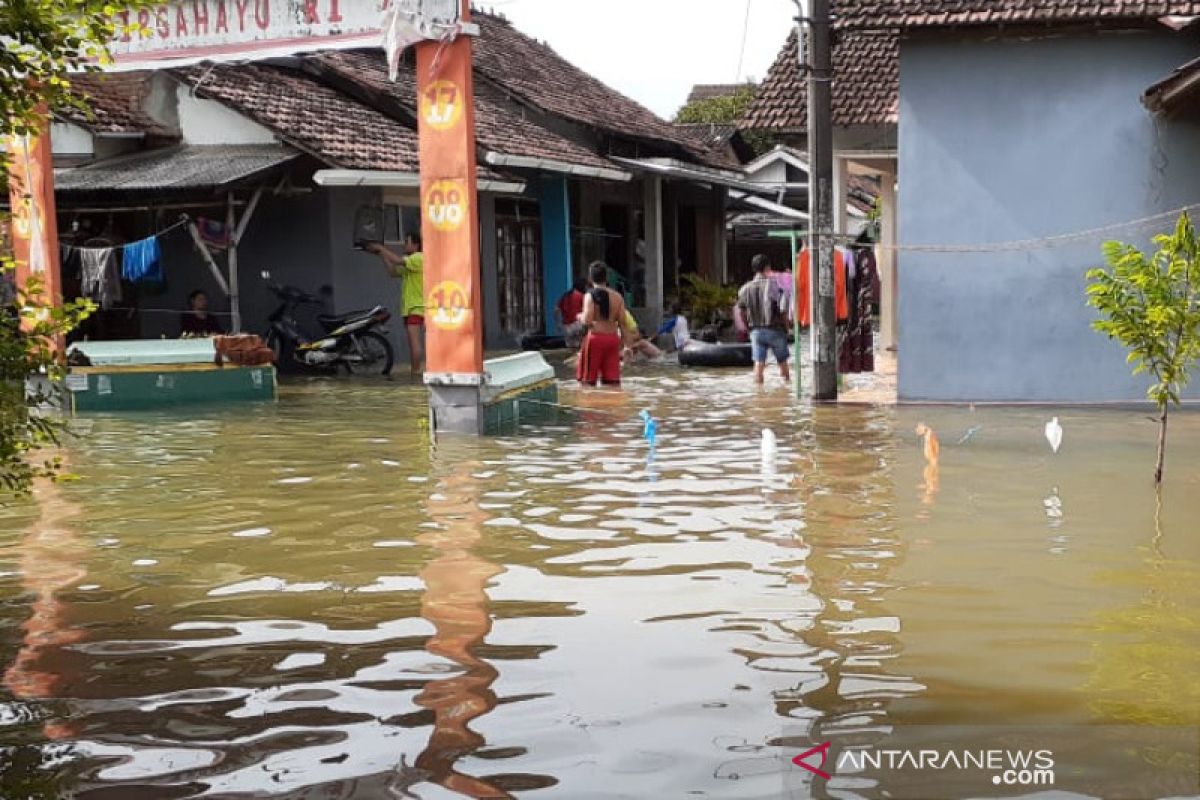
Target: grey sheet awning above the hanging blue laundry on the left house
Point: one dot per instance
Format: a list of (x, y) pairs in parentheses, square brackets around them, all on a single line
[(176, 170)]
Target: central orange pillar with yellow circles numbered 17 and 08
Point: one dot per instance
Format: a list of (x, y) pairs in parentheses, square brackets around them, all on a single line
[(449, 213)]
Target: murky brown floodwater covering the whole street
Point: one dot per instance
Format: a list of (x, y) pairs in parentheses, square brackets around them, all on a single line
[(313, 600)]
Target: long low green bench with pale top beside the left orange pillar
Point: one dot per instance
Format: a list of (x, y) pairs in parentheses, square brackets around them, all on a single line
[(160, 374)]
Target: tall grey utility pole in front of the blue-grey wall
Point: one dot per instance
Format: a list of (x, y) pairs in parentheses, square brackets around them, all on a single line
[(821, 213)]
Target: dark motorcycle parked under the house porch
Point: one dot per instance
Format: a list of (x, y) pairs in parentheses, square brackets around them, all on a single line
[(357, 341)]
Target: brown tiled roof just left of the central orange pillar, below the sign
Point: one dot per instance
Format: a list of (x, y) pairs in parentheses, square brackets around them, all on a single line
[(310, 116)]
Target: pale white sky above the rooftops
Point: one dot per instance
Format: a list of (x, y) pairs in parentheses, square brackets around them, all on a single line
[(655, 51)]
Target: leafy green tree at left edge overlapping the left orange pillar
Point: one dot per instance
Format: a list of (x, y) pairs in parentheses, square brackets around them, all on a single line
[(45, 41)]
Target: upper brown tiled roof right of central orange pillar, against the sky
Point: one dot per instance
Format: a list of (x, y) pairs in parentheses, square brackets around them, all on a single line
[(536, 74)]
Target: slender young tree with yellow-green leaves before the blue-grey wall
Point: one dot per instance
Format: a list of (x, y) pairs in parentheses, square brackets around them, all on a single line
[(1153, 306)]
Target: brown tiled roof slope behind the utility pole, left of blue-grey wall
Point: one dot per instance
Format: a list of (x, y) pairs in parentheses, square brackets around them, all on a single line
[(866, 89)]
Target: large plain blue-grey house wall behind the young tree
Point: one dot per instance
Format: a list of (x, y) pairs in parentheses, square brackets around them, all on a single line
[(1010, 140)]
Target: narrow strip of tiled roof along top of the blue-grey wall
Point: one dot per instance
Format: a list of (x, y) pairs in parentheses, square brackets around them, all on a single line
[(929, 14)]
